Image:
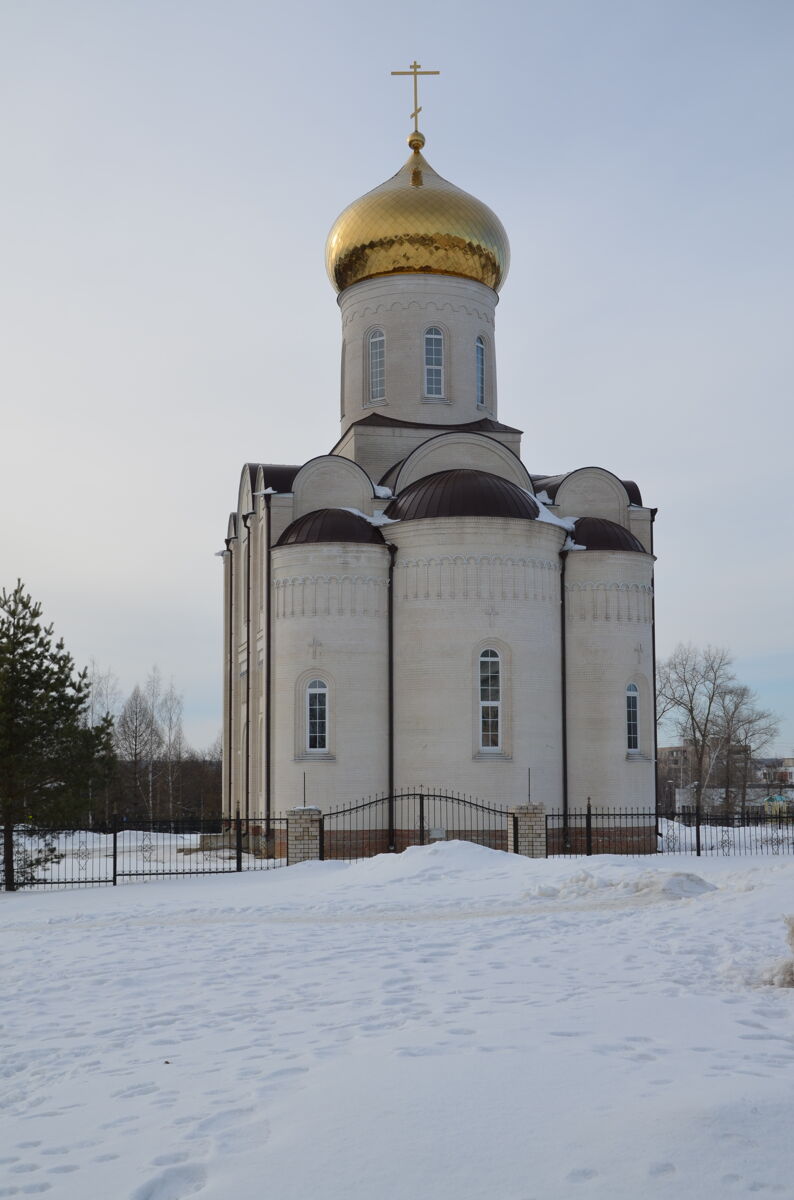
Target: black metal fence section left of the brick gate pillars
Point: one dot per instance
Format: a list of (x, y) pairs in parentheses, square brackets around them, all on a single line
[(88, 856)]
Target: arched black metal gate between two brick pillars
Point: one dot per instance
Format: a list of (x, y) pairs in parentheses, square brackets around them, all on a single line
[(386, 824)]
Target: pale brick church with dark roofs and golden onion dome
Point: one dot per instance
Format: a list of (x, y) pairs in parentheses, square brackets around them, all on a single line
[(418, 608)]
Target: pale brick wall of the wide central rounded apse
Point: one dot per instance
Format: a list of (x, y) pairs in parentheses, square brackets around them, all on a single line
[(462, 585)]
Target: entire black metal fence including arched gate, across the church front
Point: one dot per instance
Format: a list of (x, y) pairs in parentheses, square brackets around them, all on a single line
[(86, 856)]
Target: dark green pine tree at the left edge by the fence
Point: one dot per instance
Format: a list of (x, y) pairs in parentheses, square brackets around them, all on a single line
[(49, 753)]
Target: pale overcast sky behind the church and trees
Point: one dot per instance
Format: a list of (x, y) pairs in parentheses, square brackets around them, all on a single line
[(169, 175)]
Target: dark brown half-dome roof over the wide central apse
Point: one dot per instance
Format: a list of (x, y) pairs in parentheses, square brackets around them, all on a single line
[(462, 494)]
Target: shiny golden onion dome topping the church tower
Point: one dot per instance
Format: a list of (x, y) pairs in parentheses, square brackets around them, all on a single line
[(417, 221)]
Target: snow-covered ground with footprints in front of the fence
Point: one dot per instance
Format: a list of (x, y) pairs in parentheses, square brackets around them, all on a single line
[(452, 1023)]
